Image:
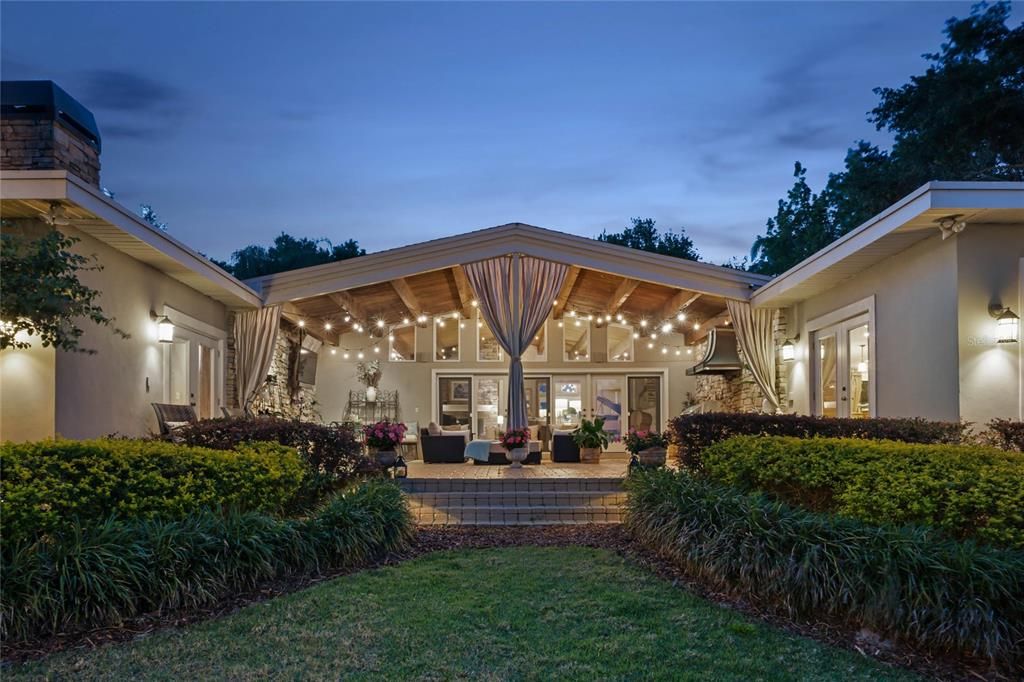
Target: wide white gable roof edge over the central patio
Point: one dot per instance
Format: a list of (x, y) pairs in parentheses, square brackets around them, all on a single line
[(514, 238)]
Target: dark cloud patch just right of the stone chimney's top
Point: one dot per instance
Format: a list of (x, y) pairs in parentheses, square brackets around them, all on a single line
[(135, 106)]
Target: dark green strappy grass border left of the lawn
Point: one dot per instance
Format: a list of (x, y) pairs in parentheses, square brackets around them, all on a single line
[(89, 577)]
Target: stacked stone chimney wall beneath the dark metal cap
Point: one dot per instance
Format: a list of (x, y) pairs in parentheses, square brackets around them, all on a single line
[(47, 145)]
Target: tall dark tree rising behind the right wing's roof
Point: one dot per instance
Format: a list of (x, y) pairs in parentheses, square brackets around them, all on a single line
[(961, 120)]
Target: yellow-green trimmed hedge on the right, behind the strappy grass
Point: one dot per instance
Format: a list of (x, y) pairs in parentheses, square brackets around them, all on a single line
[(966, 491)]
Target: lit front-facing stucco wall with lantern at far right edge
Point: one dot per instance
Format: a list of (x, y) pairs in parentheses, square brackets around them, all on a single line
[(990, 266)]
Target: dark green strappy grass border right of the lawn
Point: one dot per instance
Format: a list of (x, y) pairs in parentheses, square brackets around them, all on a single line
[(908, 582)]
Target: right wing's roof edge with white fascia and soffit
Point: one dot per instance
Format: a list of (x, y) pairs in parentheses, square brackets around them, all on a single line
[(910, 221)]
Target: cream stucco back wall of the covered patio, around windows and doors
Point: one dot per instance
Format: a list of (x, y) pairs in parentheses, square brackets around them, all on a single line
[(335, 377)]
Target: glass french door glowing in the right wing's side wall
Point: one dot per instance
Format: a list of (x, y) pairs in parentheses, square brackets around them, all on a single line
[(843, 369)]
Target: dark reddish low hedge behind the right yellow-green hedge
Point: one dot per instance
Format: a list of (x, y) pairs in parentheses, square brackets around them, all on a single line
[(695, 433)]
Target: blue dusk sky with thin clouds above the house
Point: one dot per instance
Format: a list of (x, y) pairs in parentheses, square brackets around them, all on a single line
[(394, 123)]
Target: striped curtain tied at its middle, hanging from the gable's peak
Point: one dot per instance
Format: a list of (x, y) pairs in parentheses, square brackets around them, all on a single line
[(516, 294)]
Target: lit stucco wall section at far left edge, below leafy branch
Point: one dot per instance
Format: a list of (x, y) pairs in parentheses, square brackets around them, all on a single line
[(27, 393)]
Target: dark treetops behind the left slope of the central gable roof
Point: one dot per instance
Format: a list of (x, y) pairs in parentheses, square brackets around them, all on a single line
[(288, 253)]
